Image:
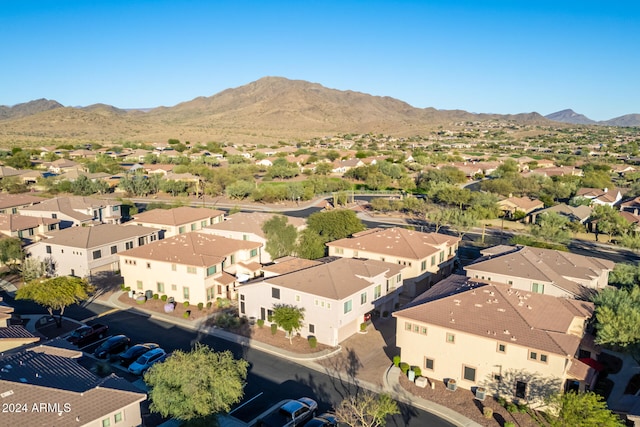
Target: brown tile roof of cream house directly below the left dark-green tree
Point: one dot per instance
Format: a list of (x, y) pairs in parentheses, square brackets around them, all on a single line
[(197, 249)]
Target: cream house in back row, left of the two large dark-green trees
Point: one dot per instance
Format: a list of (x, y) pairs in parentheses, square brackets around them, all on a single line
[(179, 220)]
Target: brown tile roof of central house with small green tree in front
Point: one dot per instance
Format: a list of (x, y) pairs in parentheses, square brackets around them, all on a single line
[(337, 279)]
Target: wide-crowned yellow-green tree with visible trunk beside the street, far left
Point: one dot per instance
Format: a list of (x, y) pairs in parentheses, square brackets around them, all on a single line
[(56, 293)]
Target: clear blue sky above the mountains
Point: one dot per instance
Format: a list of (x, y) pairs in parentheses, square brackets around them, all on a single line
[(504, 57)]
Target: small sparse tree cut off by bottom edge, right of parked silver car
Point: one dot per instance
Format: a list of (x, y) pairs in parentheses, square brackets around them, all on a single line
[(366, 409)]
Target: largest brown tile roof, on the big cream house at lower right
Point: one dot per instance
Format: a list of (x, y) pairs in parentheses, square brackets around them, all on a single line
[(500, 313)]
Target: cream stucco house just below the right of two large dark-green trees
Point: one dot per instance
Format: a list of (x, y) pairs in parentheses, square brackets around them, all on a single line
[(429, 257)]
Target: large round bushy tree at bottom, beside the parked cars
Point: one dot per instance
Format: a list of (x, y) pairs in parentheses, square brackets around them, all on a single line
[(196, 384)]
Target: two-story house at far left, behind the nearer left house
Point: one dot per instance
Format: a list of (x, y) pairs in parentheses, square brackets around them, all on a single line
[(76, 210)]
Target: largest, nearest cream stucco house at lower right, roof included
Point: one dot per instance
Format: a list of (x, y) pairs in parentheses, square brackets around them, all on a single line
[(517, 344)]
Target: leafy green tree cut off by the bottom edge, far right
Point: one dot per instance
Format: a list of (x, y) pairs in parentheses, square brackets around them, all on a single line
[(582, 410)]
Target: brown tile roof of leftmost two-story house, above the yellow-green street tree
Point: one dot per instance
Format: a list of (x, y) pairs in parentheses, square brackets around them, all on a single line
[(98, 235)]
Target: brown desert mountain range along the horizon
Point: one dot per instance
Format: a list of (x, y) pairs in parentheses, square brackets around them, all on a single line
[(268, 110)]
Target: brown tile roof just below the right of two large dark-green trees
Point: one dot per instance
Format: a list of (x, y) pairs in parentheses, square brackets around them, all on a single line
[(398, 242)]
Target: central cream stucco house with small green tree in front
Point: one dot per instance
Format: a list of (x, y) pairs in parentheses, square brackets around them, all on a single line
[(335, 295)]
